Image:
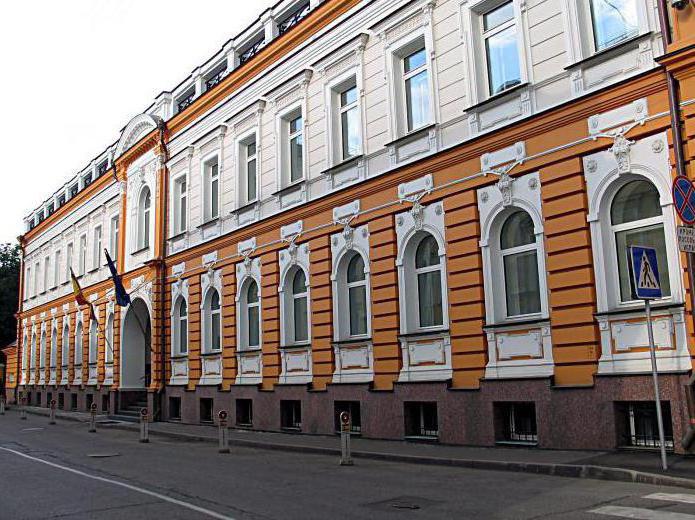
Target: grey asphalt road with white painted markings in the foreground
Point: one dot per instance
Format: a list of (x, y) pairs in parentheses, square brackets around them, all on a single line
[(52, 472)]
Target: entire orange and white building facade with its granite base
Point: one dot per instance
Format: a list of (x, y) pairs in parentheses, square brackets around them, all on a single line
[(364, 208)]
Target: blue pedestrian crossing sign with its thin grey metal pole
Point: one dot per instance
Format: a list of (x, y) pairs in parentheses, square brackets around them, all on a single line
[(646, 285)]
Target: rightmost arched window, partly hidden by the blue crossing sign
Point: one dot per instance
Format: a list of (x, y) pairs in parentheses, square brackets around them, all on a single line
[(637, 220)]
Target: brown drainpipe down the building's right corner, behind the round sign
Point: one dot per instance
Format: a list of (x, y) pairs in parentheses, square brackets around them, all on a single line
[(675, 114)]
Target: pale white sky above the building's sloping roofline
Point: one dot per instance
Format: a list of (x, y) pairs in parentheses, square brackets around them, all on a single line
[(74, 72)]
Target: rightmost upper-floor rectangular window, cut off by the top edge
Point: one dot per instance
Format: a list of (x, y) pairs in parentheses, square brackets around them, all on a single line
[(613, 21)]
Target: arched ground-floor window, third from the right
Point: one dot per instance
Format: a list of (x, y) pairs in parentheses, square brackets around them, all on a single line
[(428, 272)]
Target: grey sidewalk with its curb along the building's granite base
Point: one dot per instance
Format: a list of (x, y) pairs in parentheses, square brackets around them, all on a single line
[(621, 465)]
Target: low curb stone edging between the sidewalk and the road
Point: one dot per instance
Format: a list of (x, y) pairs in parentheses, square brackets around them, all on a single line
[(538, 468)]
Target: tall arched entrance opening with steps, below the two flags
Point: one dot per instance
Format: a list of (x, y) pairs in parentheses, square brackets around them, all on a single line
[(136, 354)]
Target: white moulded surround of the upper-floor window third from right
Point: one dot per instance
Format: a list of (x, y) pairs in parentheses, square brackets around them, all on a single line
[(395, 53)]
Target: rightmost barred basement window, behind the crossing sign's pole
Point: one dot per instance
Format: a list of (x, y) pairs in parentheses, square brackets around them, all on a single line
[(638, 427)]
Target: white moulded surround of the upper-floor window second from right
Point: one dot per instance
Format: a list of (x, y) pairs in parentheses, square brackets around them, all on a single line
[(472, 12)]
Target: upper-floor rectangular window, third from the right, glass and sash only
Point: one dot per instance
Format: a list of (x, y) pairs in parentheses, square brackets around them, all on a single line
[(417, 90)]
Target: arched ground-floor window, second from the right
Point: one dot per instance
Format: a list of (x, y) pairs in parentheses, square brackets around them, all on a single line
[(519, 254)]
